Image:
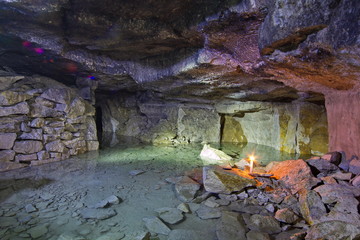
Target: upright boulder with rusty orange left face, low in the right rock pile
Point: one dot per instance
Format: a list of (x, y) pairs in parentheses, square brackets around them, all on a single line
[(311, 206)]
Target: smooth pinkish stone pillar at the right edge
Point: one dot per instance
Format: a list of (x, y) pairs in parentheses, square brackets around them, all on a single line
[(343, 111)]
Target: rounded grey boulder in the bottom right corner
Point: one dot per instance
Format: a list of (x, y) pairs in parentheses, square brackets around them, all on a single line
[(333, 230)]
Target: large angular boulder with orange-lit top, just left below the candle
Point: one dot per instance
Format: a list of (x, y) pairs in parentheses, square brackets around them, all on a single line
[(218, 180)]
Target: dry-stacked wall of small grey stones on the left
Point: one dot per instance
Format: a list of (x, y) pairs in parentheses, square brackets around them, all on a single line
[(39, 125)]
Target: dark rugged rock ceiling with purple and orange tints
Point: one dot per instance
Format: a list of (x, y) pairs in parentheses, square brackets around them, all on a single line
[(188, 50)]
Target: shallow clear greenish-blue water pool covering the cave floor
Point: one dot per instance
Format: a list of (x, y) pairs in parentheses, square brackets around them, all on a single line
[(47, 201)]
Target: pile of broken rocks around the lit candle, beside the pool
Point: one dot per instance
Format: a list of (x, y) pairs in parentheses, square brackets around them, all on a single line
[(312, 199)]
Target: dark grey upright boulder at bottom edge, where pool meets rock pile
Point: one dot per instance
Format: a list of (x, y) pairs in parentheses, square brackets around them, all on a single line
[(230, 226)]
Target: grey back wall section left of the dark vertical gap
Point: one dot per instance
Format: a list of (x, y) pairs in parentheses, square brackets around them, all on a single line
[(158, 122)]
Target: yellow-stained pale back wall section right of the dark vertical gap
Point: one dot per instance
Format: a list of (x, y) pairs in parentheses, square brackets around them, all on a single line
[(296, 127)]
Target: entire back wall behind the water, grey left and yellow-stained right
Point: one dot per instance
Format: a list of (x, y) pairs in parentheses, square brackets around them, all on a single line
[(296, 127)]
